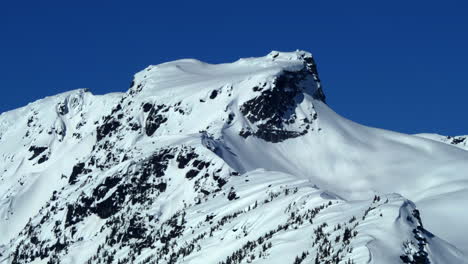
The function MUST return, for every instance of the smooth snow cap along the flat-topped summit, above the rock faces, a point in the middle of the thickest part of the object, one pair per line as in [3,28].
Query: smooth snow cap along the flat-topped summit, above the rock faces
[183,78]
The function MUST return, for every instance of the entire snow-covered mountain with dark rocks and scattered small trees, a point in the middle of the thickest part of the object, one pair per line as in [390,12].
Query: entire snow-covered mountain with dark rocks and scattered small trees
[230,163]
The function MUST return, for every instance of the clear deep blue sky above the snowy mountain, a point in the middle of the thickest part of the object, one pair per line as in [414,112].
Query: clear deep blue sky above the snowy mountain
[399,65]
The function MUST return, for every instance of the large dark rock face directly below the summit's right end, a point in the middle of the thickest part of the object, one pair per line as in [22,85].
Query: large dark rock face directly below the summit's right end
[273,111]
